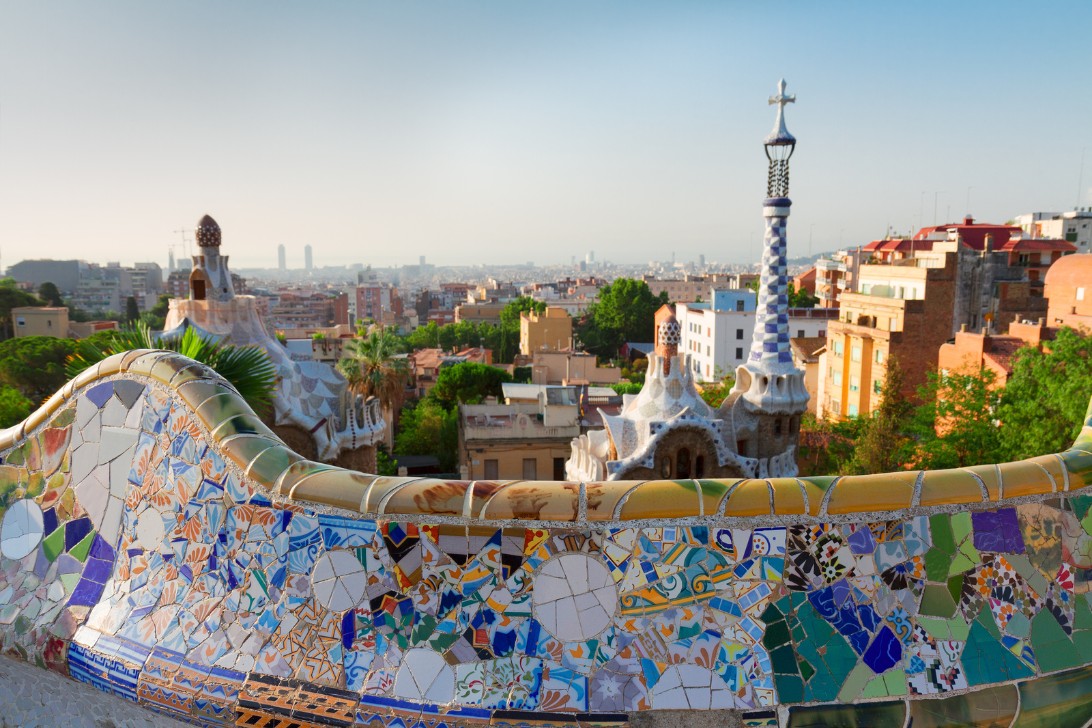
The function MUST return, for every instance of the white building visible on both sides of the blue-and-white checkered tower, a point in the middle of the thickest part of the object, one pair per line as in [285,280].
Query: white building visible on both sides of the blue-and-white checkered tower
[717,336]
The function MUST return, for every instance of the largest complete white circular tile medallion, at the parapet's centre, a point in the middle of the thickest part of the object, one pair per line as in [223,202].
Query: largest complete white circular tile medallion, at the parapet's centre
[575,598]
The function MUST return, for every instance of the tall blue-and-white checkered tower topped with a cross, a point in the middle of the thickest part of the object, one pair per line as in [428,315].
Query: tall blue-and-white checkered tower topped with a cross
[773,383]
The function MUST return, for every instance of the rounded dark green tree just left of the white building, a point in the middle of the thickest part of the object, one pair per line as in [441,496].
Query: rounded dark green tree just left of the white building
[624,312]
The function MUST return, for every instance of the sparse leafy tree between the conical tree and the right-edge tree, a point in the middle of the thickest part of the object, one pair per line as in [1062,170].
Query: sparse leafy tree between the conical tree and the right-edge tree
[956,426]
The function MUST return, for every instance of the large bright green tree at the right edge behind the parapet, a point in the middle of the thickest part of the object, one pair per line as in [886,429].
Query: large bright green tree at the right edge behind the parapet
[1046,399]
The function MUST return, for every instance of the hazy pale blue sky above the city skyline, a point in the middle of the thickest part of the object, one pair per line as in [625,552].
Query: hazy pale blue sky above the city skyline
[511,132]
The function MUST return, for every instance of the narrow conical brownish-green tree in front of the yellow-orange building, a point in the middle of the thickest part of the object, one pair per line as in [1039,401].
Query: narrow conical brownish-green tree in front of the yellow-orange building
[882,443]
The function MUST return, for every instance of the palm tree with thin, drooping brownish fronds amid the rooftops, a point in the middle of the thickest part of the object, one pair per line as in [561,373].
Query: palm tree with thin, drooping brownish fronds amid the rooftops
[374,368]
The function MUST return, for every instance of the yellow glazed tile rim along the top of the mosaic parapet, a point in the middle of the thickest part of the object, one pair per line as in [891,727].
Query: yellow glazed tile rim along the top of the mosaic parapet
[244,437]
